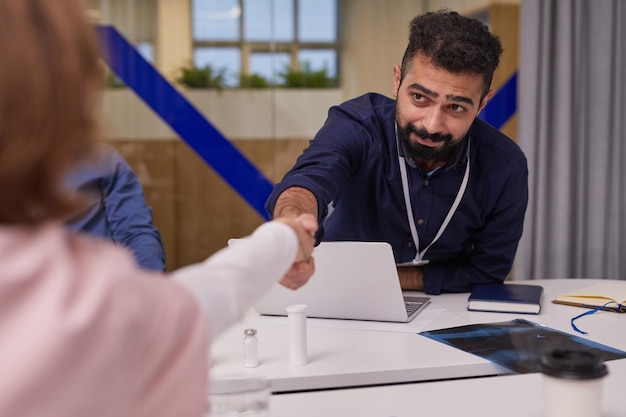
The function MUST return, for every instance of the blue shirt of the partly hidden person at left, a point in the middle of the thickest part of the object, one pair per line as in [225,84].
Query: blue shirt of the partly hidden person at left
[116,207]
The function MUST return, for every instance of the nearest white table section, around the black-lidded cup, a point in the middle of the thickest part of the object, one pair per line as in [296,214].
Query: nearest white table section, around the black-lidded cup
[507,396]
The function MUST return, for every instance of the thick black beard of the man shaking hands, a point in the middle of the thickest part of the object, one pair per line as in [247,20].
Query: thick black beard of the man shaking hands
[423,152]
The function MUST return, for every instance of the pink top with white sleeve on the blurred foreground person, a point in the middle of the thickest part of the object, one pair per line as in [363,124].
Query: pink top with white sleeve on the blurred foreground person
[84,332]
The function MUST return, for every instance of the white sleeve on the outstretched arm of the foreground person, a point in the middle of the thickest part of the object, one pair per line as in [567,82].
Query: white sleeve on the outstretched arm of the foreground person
[230,281]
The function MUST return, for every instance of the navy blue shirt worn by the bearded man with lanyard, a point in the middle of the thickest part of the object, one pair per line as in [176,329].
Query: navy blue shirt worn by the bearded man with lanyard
[353,162]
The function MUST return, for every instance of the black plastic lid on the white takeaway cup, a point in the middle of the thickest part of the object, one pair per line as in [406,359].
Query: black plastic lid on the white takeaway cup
[573,364]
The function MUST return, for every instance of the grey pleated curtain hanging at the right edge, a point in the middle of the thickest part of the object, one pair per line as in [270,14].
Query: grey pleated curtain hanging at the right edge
[572,112]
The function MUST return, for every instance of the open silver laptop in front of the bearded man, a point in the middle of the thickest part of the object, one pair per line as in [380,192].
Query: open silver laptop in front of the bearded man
[352,280]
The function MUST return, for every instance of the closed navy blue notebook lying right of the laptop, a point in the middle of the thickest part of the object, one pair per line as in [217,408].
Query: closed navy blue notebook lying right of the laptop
[506,298]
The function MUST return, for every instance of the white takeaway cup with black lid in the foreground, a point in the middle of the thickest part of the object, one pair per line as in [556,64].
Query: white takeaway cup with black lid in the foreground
[572,383]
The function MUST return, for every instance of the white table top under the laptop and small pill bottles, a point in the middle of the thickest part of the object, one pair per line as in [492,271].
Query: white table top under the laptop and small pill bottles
[347,357]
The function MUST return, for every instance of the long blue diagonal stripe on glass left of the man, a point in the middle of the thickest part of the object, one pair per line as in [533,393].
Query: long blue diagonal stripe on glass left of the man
[192,127]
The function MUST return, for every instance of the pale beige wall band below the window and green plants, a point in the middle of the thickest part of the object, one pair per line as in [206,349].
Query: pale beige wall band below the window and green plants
[244,114]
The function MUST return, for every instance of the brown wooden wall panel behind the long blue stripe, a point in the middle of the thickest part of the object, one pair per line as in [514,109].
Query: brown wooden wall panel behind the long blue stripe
[193,208]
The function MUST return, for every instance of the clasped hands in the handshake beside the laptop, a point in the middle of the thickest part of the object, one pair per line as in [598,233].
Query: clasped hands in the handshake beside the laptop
[305,227]
